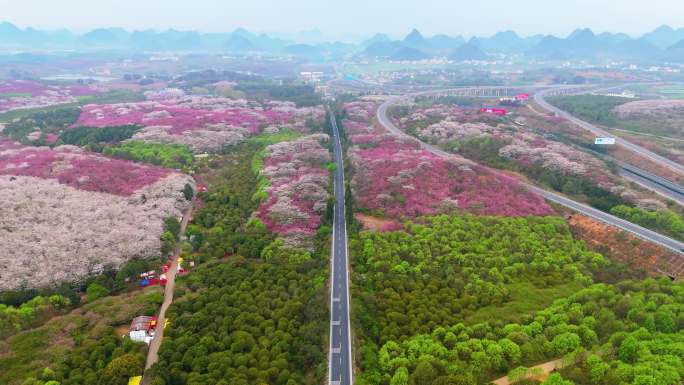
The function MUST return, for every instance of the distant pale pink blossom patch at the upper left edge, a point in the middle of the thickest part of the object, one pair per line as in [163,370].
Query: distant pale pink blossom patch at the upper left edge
[19,94]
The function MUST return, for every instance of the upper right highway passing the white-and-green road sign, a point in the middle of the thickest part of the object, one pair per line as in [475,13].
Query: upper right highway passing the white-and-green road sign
[539,99]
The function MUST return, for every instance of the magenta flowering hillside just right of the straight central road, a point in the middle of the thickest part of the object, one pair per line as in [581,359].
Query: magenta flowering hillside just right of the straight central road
[395,176]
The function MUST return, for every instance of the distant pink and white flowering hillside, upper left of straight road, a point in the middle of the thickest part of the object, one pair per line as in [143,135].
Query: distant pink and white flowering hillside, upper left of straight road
[202,123]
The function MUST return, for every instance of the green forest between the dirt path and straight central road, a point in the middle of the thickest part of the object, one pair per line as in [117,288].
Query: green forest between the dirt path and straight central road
[249,319]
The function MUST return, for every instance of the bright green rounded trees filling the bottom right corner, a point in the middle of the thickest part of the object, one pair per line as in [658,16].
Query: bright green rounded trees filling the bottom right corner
[604,334]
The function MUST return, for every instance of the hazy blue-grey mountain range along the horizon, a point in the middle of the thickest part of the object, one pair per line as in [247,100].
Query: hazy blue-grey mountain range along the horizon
[662,44]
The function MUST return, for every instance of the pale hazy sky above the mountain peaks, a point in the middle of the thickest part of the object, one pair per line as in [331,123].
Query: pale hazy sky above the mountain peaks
[351,17]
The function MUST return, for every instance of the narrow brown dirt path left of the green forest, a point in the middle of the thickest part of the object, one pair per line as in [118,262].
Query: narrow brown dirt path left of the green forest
[153,352]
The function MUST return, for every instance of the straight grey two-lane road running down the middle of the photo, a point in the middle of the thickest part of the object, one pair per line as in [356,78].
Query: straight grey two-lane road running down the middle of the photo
[339,353]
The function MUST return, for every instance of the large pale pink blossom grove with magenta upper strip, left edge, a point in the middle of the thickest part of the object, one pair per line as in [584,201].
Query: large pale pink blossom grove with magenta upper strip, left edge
[67,213]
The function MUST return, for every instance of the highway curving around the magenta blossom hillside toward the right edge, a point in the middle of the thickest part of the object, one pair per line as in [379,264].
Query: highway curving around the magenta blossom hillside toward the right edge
[622,224]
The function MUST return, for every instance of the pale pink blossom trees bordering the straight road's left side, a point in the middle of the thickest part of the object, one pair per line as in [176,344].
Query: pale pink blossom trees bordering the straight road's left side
[298,191]
